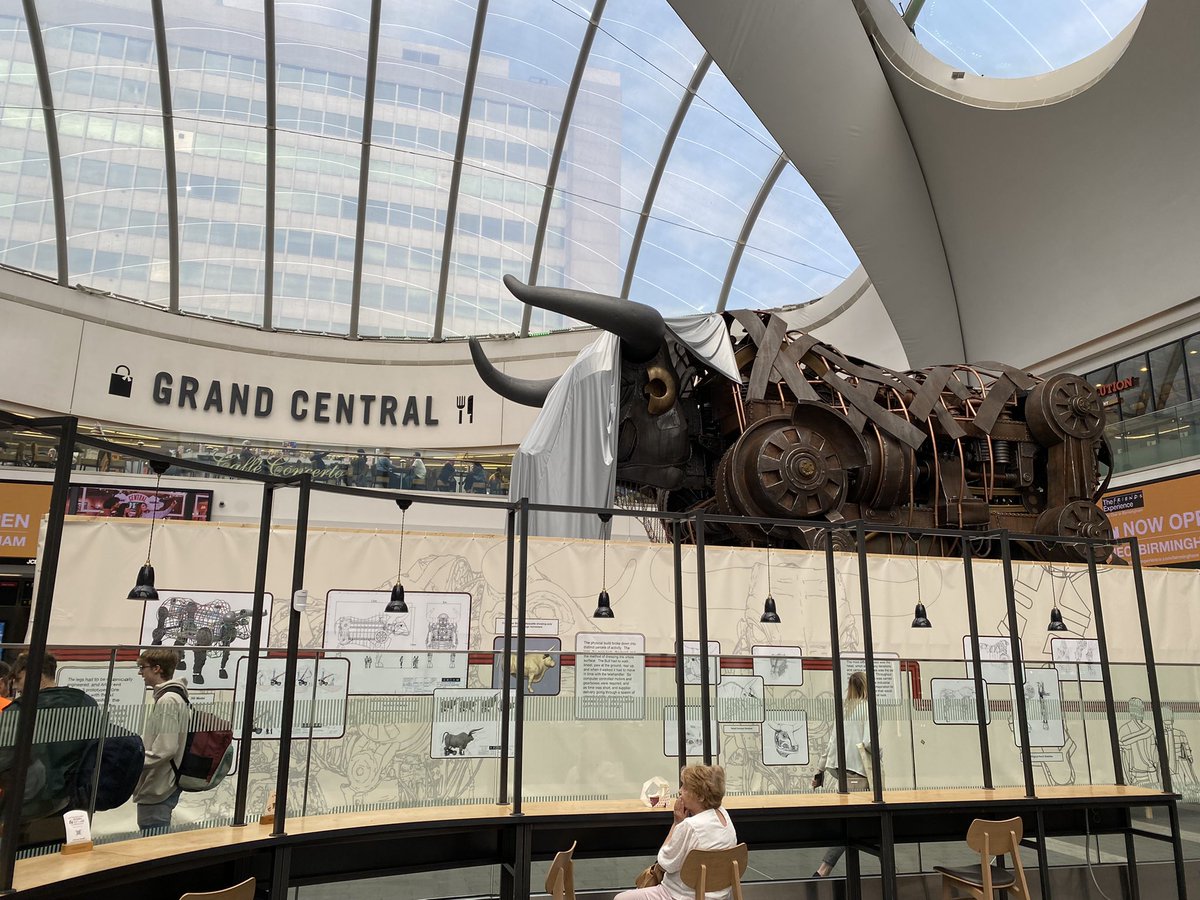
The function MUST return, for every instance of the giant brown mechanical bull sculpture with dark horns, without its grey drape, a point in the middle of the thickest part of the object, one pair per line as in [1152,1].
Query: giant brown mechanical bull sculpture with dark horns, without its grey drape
[812,434]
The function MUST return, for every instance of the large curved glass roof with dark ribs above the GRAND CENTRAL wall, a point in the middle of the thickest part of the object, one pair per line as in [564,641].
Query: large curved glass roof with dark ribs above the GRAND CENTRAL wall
[373,167]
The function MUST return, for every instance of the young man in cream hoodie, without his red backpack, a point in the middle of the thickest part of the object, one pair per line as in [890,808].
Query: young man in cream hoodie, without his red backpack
[165,739]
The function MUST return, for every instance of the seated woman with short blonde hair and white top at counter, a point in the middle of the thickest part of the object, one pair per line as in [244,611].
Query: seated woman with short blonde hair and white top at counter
[700,824]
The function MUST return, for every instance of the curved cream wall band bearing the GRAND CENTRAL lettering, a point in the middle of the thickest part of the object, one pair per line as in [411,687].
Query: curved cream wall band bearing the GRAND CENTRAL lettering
[356,395]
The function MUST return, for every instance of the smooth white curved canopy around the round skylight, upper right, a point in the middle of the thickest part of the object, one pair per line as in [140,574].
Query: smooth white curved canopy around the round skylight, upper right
[1004,233]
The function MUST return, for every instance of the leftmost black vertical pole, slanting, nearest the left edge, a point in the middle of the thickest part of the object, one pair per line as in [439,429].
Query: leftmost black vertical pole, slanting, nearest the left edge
[27,716]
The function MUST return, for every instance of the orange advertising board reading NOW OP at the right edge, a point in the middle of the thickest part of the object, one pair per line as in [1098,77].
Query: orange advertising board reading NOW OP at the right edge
[1165,517]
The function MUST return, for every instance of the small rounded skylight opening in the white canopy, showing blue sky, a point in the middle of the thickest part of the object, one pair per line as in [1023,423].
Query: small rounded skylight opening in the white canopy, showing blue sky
[1013,39]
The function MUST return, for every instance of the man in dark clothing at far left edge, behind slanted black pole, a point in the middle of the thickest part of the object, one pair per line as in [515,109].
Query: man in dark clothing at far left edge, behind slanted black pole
[61,740]
